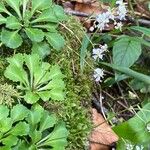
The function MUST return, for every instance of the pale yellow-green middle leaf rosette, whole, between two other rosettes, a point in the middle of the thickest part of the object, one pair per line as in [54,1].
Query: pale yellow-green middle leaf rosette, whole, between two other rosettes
[37,80]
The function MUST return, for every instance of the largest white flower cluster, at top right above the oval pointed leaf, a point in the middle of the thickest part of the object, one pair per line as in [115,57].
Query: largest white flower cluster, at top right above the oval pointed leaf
[102,20]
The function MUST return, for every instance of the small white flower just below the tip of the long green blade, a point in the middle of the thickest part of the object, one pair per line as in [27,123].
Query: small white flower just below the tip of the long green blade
[98,74]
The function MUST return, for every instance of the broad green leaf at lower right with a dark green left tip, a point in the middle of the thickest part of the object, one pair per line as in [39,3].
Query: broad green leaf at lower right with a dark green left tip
[136,128]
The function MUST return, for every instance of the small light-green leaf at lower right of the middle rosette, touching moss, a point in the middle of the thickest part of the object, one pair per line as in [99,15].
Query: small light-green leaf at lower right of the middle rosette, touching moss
[57,94]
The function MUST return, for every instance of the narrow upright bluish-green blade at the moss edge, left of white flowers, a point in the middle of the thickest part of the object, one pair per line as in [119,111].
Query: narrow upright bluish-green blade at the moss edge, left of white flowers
[83,51]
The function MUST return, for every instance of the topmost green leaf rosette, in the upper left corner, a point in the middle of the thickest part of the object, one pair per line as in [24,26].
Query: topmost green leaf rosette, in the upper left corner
[37,19]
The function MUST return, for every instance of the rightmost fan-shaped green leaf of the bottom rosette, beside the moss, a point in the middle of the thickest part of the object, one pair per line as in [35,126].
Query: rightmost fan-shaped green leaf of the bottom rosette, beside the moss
[57,139]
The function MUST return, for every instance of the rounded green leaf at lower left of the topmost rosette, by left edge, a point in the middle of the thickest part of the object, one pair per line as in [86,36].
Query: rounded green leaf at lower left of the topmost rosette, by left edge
[11,39]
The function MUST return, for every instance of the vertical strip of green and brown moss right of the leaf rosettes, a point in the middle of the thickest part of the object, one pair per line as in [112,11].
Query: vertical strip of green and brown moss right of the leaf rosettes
[75,109]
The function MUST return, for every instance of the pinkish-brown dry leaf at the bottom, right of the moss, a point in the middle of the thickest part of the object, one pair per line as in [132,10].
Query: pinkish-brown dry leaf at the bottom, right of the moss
[102,133]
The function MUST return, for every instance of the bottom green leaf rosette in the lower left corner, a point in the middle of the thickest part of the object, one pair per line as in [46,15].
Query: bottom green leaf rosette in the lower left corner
[22,129]
